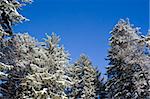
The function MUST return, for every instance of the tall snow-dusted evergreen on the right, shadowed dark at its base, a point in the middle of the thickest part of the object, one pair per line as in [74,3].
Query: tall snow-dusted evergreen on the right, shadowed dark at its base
[127,73]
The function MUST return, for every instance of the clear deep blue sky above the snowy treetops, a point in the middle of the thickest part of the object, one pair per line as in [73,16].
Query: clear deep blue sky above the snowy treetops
[83,25]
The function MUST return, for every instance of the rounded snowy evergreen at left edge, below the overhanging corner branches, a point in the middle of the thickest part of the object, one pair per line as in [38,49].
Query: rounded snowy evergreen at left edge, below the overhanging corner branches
[16,53]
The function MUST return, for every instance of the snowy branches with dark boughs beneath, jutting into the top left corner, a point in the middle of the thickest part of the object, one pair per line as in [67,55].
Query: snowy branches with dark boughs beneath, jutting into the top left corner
[10,15]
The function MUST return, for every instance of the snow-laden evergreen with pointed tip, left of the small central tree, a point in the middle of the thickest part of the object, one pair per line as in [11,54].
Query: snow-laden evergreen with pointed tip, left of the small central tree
[46,78]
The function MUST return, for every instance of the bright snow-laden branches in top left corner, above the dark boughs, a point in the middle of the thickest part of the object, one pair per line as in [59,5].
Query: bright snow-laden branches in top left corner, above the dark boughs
[11,7]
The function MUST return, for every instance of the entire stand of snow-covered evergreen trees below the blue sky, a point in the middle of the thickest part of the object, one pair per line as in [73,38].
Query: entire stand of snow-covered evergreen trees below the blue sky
[30,69]
